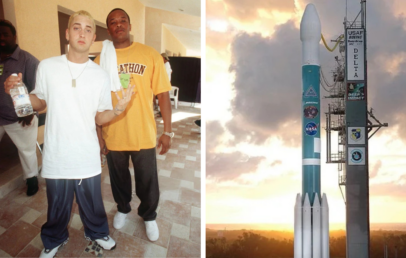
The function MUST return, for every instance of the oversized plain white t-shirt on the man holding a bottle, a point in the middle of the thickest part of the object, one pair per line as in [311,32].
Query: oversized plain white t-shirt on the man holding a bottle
[71,147]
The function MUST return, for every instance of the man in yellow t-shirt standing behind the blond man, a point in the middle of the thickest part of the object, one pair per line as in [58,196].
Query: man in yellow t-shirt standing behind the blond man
[134,133]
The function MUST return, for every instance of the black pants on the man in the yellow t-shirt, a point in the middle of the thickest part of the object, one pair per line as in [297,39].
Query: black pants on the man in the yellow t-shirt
[146,181]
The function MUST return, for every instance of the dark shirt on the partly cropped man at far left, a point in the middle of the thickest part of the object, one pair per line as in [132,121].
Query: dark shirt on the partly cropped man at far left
[19,62]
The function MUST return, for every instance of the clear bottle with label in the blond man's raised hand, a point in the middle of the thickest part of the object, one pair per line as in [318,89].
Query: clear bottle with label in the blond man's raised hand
[21,99]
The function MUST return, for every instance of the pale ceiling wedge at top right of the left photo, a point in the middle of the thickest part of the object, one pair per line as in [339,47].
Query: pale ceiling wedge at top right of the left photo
[191,7]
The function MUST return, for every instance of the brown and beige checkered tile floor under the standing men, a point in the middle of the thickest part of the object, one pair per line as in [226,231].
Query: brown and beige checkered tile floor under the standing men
[179,210]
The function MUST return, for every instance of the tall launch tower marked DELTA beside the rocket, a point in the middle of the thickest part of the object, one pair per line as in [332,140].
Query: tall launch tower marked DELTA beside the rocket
[349,118]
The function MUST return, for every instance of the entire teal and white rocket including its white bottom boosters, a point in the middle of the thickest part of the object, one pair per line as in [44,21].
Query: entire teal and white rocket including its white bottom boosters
[311,236]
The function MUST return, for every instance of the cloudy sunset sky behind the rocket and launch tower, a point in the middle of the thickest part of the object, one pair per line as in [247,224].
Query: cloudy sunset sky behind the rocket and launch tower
[253,83]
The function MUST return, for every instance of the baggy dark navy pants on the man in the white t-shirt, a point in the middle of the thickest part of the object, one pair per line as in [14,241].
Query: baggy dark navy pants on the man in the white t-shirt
[60,194]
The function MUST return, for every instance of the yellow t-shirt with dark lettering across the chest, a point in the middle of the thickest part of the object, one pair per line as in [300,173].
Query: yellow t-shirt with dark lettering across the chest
[135,129]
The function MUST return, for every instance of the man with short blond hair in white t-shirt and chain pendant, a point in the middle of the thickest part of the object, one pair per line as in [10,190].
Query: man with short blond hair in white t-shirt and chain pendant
[77,94]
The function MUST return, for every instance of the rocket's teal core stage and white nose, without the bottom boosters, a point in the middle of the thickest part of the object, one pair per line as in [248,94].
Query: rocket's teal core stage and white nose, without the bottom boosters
[310,35]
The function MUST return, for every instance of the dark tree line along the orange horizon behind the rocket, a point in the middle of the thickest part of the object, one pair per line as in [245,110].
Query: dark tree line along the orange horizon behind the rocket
[278,244]
